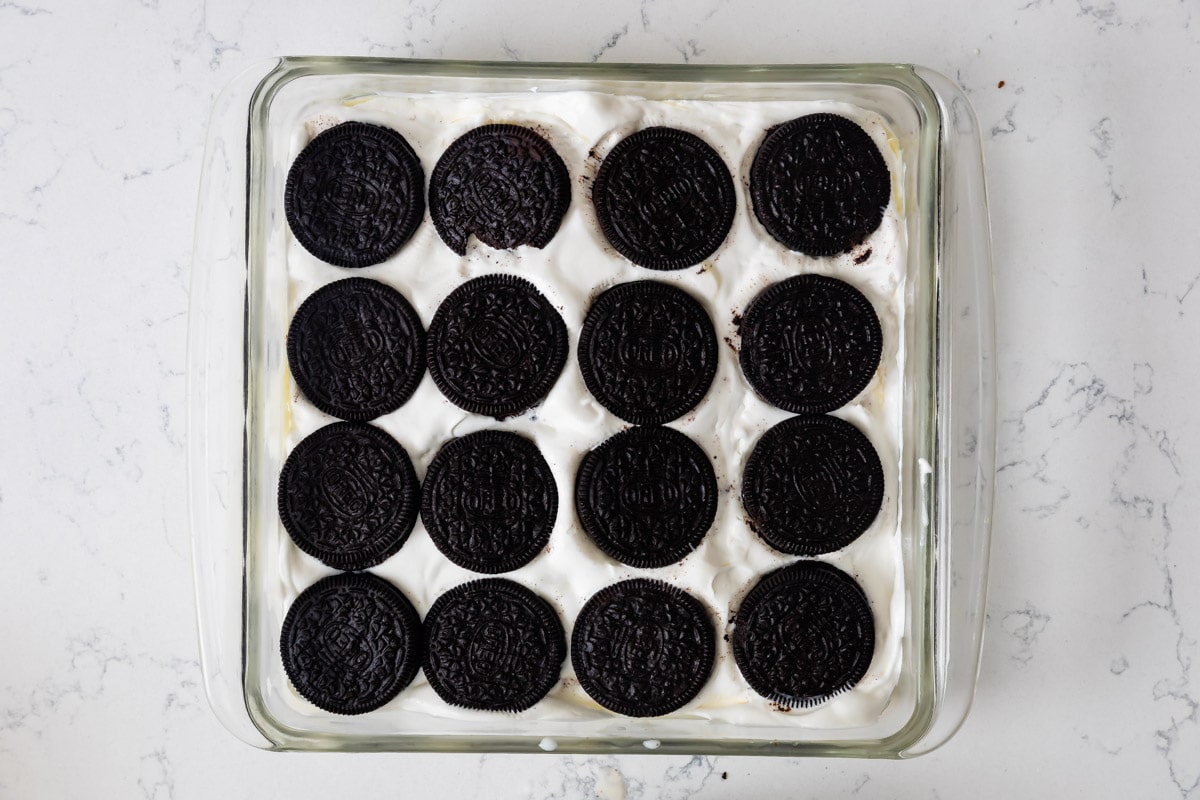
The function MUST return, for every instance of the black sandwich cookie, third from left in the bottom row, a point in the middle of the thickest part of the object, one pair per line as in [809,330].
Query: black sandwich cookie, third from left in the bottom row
[643,648]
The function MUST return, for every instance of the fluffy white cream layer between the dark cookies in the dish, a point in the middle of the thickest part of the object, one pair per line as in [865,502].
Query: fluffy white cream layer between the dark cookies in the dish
[571,272]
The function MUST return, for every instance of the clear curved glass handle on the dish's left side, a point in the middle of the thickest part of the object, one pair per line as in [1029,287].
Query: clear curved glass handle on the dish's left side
[217,400]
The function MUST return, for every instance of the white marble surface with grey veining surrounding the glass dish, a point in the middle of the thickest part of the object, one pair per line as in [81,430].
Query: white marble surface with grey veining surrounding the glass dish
[1088,688]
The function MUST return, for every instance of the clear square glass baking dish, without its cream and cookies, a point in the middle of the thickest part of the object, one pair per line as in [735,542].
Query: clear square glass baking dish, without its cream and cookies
[239,394]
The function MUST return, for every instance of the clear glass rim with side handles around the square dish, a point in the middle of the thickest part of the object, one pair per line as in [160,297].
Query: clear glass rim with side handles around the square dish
[947,243]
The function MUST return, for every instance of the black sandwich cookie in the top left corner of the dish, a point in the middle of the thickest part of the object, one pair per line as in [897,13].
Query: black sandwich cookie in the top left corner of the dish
[355,195]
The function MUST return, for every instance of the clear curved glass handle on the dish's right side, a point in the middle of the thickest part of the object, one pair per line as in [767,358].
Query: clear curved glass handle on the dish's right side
[967,374]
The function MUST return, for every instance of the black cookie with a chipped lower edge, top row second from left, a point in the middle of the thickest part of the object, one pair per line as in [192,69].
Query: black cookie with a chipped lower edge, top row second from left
[502,183]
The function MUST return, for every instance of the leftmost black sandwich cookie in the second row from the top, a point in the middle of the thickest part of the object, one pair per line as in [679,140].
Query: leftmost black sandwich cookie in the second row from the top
[357,350]
